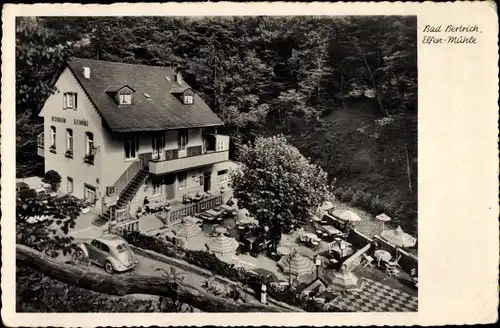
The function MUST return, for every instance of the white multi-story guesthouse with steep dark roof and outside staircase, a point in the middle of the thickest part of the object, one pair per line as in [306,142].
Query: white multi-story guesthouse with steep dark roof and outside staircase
[117,133]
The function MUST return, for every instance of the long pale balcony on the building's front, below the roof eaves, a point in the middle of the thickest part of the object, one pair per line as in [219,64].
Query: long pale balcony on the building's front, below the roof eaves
[196,159]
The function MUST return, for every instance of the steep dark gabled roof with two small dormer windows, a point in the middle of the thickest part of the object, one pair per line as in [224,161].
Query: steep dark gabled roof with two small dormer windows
[162,111]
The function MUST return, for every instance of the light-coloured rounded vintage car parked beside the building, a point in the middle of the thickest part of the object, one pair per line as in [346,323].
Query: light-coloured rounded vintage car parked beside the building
[109,251]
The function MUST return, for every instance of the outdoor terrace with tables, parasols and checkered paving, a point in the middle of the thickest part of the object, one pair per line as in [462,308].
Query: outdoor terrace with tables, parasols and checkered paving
[377,280]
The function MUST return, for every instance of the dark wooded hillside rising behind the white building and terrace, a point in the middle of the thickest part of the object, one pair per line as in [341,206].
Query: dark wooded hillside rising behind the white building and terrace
[343,90]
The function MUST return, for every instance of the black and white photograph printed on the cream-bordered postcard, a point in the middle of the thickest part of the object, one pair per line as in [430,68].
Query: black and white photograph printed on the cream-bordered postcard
[216,164]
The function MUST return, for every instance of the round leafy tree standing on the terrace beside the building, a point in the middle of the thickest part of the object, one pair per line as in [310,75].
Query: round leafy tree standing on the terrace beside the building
[278,186]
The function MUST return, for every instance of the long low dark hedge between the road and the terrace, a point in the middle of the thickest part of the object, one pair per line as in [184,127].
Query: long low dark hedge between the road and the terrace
[210,262]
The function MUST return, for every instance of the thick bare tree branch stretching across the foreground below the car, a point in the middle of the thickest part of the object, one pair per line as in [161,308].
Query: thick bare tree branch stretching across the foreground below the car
[125,285]
